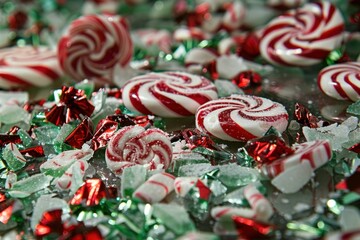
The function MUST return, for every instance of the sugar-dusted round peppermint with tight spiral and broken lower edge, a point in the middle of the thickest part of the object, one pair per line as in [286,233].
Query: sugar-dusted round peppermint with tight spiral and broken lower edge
[134,145]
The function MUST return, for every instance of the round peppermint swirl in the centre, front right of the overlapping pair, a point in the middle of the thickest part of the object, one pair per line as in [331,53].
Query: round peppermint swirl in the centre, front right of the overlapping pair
[240,117]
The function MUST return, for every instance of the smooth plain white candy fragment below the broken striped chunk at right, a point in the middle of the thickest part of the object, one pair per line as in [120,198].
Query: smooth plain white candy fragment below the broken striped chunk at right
[294,178]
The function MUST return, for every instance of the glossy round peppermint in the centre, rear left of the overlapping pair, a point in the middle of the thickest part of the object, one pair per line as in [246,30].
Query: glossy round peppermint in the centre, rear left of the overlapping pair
[168,94]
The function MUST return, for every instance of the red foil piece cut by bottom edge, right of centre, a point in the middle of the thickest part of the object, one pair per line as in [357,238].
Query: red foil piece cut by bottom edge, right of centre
[251,229]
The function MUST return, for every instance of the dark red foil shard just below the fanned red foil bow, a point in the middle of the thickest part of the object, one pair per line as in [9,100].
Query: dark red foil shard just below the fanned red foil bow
[82,133]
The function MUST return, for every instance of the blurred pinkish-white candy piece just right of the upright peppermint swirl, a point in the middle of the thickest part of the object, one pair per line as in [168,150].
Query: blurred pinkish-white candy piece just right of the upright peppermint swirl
[160,38]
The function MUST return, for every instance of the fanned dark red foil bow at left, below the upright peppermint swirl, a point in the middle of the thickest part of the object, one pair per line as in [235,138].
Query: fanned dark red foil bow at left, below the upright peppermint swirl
[73,105]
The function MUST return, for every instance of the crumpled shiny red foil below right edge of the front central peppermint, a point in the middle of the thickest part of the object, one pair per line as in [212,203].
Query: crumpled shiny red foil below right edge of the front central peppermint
[267,149]
